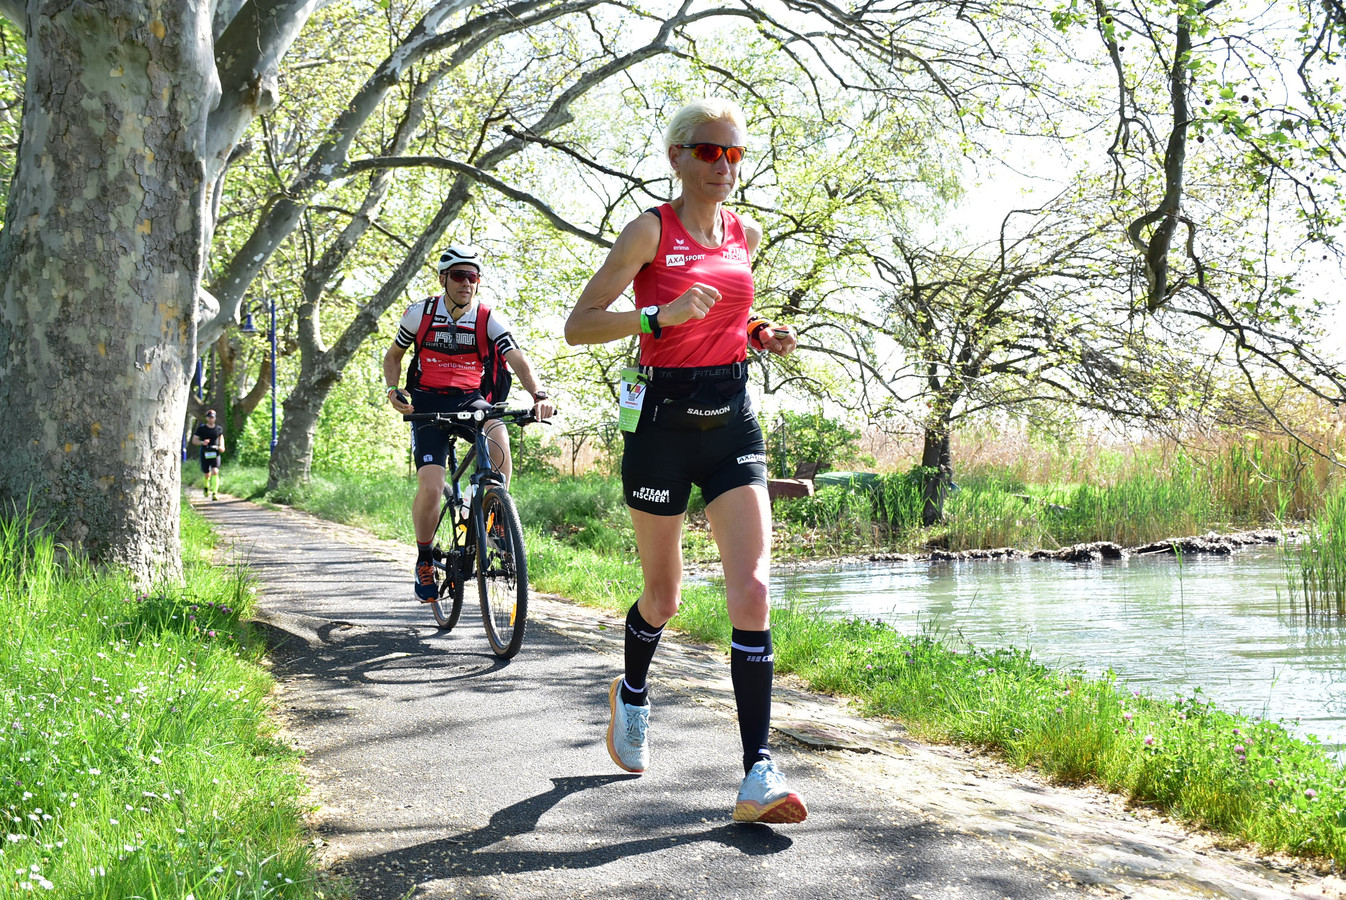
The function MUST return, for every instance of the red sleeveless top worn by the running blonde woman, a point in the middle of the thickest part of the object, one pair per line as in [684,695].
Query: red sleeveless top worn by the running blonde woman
[721,338]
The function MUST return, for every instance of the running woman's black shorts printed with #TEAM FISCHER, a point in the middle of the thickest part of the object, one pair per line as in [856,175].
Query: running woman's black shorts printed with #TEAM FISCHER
[668,454]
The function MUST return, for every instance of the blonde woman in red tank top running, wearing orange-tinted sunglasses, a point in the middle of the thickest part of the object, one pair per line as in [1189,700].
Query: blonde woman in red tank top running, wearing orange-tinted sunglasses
[690,263]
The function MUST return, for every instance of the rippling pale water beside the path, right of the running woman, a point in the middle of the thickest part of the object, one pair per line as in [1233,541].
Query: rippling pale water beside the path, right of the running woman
[1224,625]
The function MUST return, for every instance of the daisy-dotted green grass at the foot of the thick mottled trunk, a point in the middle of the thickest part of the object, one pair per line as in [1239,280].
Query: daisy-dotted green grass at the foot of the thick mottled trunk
[137,758]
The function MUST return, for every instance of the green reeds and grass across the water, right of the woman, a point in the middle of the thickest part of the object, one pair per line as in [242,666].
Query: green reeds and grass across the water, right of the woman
[1126,496]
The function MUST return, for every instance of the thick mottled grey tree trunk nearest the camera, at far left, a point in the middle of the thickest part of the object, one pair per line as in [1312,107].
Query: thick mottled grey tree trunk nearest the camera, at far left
[100,260]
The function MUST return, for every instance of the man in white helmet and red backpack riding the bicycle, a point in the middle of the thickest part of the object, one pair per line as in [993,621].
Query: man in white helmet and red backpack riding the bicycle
[446,376]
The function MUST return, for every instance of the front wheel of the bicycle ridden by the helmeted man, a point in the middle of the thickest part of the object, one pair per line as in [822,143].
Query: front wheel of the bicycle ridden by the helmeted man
[503,572]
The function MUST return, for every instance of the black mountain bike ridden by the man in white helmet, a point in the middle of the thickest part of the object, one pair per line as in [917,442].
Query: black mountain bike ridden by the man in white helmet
[479,535]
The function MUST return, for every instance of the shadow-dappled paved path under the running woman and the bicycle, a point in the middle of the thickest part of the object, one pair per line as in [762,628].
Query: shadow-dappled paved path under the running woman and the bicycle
[444,773]
